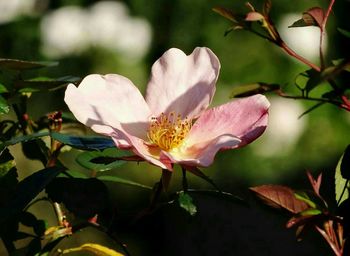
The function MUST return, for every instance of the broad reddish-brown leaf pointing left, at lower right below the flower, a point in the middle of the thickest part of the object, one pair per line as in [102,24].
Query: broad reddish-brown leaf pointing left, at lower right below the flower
[280,197]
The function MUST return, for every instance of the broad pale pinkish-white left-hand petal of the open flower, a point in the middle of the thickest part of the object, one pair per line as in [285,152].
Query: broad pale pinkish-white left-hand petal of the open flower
[109,103]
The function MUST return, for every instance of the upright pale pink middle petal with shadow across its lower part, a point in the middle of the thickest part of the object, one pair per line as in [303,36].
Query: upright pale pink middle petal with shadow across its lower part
[183,84]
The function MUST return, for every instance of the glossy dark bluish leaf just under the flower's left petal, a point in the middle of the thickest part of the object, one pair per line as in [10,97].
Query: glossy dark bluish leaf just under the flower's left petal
[85,143]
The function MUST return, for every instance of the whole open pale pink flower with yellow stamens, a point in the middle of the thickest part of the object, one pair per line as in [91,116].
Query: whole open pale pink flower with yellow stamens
[172,124]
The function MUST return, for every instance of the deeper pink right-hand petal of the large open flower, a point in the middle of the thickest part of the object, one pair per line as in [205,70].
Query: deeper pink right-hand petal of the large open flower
[232,125]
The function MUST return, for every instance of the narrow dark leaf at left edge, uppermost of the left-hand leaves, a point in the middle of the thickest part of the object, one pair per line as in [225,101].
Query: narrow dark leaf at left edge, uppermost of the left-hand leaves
[23,64]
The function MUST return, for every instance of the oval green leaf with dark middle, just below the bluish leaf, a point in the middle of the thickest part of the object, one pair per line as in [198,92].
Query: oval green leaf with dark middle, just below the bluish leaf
[104,160]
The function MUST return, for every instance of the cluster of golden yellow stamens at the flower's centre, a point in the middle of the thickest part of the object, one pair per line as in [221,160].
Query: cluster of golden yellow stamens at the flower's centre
[168,131]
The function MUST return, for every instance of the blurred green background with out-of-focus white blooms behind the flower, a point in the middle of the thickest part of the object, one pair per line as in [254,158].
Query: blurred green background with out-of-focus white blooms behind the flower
[126,37]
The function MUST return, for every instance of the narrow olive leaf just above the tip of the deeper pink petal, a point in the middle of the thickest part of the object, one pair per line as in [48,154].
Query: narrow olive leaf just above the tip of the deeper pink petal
[252,89]
